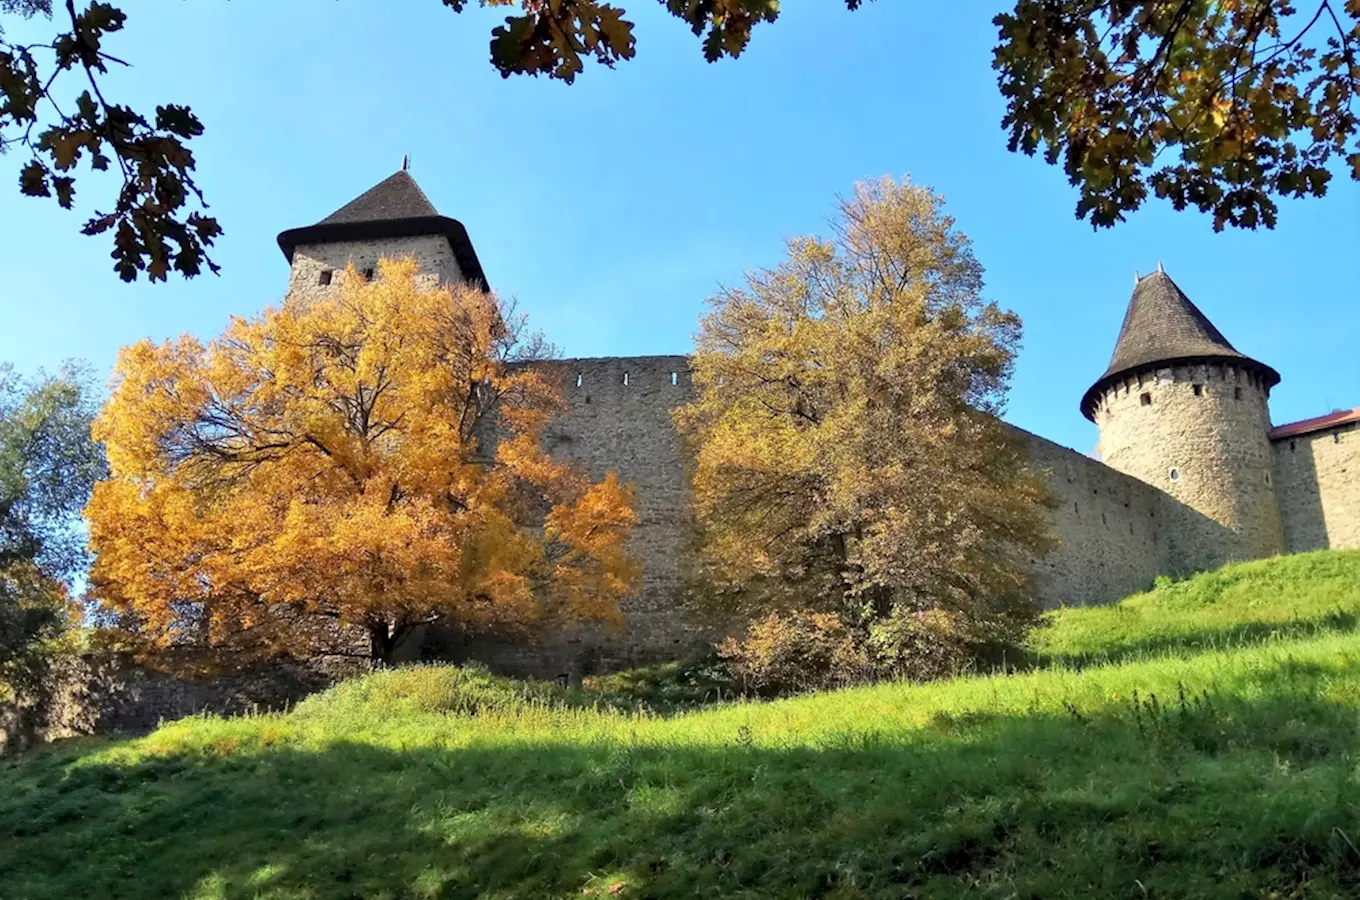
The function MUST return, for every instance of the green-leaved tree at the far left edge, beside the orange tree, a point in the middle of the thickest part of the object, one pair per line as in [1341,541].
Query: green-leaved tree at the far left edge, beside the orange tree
[48,466]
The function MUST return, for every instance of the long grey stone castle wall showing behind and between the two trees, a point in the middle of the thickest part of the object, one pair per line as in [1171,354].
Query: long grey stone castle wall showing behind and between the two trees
[1112,527]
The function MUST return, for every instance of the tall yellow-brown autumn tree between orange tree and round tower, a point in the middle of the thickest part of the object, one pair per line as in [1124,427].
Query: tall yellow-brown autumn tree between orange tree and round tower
[849,455]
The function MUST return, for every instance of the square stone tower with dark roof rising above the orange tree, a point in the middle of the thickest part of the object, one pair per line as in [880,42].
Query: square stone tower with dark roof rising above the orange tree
[392,220]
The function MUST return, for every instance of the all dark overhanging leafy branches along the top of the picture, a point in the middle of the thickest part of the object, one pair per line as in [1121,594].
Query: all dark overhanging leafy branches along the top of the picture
[1225,105]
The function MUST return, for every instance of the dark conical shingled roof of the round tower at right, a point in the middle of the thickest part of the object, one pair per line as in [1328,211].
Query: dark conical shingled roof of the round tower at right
[1163,327]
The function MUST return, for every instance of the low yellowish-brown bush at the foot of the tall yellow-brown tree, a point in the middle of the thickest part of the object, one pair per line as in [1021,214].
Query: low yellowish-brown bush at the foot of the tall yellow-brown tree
[804,651]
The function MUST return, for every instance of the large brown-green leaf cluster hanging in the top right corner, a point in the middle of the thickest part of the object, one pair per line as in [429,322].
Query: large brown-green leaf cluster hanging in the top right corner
[1222,105]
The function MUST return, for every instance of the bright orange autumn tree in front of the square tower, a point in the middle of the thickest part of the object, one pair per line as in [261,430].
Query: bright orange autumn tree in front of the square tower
[371,459]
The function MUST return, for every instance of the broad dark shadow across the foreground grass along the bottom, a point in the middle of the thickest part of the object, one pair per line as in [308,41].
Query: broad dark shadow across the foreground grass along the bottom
[1189,796]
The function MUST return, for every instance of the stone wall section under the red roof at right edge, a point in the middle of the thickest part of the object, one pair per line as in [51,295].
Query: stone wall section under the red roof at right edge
[1319,483]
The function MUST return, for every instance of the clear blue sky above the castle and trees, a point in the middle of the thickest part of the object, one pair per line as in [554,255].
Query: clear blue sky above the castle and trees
[614,207]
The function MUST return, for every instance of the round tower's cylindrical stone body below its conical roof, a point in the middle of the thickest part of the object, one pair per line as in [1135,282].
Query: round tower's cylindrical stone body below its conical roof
[1199,433]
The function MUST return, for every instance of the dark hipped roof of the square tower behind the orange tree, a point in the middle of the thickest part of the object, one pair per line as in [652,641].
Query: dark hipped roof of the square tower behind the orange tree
[396,207]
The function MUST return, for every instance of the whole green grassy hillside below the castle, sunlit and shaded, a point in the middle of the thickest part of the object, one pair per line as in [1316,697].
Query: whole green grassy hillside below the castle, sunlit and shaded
[1199,742]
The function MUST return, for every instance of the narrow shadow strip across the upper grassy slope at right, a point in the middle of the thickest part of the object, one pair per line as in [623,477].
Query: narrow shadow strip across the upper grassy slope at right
[1199,641]
